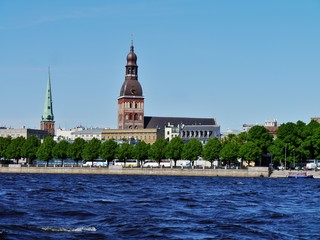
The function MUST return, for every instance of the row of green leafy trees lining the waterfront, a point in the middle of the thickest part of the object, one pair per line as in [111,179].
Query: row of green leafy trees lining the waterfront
[295,143]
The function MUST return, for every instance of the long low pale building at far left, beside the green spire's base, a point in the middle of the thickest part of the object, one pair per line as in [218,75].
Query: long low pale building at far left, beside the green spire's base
[23,132]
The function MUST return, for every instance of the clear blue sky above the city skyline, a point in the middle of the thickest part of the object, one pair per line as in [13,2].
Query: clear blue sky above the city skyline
[238,61]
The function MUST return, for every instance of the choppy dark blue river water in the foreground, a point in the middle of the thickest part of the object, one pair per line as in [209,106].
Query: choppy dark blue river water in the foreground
[157,207]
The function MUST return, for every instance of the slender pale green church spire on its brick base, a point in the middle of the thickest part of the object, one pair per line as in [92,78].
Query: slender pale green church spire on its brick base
[47,120]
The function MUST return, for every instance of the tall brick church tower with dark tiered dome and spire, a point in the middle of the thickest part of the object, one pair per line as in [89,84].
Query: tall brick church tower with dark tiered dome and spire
[131,100]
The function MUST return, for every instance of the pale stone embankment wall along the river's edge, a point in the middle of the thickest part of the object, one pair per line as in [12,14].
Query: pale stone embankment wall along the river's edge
[250,172]
